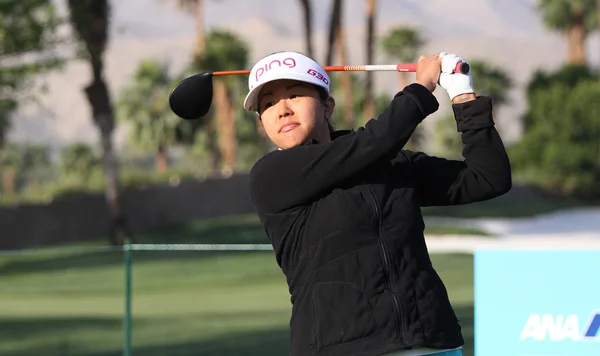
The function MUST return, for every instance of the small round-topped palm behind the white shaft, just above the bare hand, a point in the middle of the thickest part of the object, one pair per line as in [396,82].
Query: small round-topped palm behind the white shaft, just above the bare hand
[402,44]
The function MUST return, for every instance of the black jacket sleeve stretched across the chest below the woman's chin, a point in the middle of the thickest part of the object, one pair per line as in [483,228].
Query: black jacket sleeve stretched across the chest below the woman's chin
[285,179]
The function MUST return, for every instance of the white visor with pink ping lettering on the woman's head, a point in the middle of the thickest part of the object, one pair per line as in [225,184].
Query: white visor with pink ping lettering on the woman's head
[283,65]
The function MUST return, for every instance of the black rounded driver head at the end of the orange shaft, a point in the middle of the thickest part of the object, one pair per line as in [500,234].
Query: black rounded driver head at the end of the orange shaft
[192,97]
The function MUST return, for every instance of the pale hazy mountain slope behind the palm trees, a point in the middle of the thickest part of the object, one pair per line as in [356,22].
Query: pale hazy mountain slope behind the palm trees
[507,33]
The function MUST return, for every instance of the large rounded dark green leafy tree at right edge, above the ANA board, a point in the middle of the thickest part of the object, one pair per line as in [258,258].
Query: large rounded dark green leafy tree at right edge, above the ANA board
[560,147]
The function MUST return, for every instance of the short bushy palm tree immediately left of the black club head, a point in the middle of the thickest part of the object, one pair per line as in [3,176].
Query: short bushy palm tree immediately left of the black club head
[145,105]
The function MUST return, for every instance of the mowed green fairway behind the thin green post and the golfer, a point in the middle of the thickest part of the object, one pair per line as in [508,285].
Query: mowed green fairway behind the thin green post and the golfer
[184,303]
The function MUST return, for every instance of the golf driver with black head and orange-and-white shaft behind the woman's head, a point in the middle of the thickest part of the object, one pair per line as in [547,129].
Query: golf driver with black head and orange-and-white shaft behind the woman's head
[192,97]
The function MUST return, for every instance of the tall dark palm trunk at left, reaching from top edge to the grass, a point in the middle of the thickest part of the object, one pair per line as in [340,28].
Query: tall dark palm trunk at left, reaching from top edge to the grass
[90,20]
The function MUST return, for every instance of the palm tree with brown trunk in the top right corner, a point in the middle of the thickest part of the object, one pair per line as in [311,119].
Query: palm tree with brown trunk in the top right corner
[575,19]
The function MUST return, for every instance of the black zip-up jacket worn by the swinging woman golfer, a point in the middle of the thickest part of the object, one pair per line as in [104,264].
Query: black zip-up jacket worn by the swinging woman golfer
[345,222]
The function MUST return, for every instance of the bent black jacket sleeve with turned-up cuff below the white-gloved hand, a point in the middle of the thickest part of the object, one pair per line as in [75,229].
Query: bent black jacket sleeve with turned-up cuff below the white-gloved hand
[485,172]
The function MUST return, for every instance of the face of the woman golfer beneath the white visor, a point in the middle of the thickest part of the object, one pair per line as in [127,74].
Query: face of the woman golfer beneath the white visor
[292,112]
